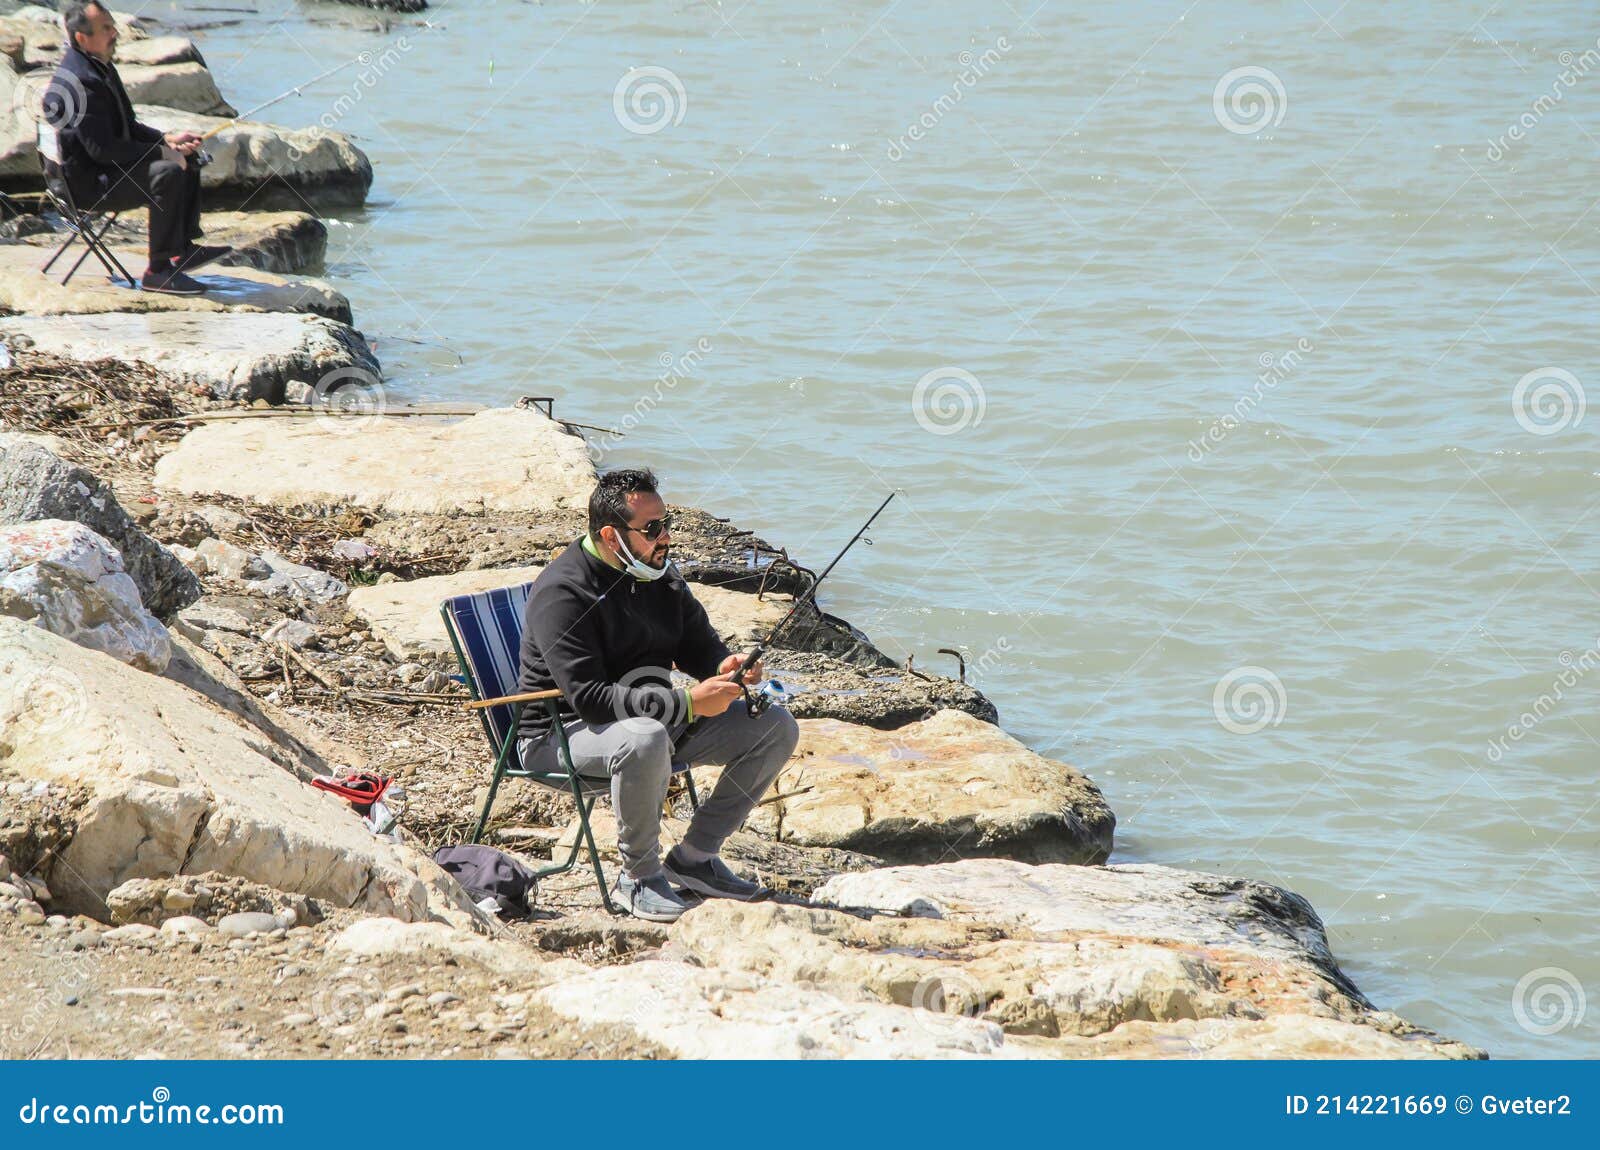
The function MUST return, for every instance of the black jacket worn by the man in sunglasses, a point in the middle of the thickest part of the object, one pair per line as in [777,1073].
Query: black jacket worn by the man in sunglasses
[609,641]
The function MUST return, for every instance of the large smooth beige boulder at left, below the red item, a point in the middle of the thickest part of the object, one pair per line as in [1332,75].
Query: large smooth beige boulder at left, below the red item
[172,786]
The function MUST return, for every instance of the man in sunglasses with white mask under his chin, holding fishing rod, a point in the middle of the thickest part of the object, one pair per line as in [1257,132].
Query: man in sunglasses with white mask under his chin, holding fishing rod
[606,623]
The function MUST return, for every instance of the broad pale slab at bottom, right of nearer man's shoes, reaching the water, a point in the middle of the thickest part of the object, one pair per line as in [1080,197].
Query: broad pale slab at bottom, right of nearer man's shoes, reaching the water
[1146,962]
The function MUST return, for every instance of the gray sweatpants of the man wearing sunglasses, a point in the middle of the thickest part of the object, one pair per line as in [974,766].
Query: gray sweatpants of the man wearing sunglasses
[638,756]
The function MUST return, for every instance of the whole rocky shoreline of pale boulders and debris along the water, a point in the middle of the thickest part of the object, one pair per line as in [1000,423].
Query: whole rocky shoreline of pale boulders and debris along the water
[222,559]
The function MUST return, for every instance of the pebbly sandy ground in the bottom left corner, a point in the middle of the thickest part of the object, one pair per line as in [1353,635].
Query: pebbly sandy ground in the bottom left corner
[81,989]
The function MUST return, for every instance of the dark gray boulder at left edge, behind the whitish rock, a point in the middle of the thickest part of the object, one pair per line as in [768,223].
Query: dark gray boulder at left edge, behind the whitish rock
[39,485]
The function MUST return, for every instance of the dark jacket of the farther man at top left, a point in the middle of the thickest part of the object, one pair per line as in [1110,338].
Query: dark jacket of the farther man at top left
[95,121]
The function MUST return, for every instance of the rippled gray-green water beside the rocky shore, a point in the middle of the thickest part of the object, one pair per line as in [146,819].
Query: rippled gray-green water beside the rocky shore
[1380,564]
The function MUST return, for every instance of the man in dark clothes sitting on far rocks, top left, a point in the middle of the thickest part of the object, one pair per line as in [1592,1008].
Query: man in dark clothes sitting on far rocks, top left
[113,162]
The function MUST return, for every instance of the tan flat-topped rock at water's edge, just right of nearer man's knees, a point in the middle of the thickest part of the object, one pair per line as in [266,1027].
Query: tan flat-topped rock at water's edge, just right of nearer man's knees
[934,791]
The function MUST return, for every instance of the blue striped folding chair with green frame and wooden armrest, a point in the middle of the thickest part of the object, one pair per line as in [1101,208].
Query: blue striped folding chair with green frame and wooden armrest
[486,633]
